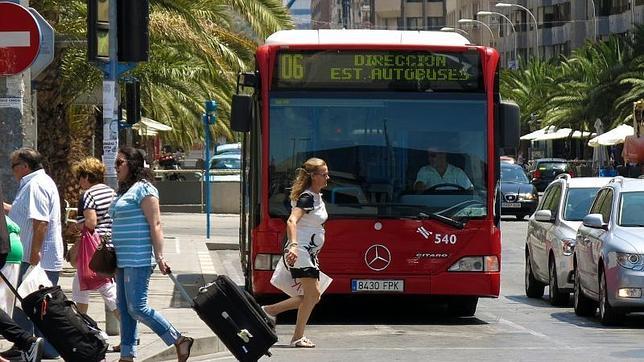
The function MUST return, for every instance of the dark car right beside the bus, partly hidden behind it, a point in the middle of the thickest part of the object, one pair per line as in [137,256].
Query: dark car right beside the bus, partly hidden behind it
[518,196]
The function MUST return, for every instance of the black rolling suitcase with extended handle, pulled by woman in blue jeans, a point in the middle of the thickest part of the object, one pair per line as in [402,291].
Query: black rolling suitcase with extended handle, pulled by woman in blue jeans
[234,316]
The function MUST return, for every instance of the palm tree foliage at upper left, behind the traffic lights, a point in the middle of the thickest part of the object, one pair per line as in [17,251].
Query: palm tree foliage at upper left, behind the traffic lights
[195,55]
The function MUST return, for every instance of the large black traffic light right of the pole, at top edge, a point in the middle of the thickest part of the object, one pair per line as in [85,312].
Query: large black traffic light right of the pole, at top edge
[133,34]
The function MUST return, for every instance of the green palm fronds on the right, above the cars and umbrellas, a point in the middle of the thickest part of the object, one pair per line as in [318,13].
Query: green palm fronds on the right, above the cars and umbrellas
[599,80]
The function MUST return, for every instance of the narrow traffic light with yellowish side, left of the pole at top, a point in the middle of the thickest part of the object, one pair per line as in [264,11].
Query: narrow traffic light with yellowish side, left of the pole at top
[98,30]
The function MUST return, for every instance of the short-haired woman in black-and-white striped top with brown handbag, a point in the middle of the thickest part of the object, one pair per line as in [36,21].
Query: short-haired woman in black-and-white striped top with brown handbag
[92,214]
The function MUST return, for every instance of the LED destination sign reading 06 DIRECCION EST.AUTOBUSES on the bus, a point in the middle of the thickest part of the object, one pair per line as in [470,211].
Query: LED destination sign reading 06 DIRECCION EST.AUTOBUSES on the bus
[378,70]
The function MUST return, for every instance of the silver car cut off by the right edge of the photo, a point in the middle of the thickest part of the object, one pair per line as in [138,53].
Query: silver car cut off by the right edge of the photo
[609,253]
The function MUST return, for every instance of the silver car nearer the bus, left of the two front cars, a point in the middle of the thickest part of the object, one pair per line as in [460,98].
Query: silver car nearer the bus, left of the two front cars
[552,230]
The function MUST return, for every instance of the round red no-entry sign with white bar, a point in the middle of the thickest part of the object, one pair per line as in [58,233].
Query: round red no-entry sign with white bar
[19,38]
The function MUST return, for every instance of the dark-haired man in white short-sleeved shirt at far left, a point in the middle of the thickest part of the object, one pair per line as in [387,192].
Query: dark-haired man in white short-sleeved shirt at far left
[36,209]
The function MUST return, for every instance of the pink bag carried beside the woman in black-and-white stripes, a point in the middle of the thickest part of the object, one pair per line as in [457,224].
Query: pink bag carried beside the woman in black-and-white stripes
[88,279]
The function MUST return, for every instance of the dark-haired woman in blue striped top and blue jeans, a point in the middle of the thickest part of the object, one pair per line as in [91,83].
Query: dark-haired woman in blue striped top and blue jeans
[138,241]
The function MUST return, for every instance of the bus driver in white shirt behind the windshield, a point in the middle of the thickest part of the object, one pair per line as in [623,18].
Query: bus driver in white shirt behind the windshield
[438,172]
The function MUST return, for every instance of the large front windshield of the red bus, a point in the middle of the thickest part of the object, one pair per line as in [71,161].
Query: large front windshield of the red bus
[390,155]
